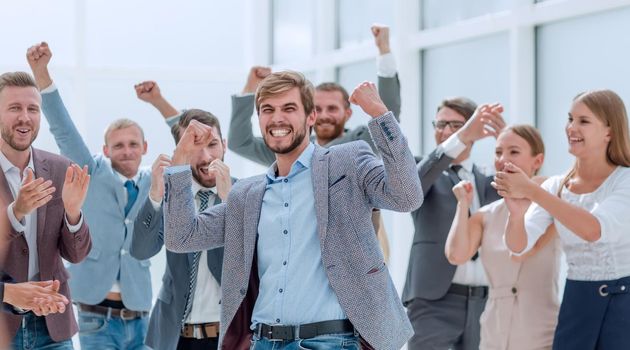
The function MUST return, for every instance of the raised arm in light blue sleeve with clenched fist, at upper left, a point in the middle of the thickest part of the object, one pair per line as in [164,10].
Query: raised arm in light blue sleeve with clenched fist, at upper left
[62,127]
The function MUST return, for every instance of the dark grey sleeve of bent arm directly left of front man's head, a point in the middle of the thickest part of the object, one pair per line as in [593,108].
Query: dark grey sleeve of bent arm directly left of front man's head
[242,139]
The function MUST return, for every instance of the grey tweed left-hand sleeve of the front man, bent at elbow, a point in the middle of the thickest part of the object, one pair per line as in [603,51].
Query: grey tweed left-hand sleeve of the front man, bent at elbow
[185,230]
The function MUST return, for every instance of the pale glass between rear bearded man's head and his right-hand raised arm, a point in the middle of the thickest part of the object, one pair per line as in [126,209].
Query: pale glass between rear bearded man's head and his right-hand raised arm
[349,77]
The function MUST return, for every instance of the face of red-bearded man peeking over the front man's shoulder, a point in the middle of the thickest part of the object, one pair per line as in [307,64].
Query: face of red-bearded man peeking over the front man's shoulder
[332,115]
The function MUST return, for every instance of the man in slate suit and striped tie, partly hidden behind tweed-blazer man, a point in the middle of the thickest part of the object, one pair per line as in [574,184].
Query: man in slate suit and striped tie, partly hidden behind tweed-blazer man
[187,312]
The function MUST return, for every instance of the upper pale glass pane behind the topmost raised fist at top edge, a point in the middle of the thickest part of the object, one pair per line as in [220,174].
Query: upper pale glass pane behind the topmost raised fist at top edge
[355,17]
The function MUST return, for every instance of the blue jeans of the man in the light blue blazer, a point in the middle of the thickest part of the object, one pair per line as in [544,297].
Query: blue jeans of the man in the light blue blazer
[104,332]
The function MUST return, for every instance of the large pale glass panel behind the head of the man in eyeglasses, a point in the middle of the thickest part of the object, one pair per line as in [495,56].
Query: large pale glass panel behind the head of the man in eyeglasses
[477,69]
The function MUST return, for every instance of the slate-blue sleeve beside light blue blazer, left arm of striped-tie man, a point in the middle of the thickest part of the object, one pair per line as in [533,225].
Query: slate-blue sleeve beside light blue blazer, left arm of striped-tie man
[148,232]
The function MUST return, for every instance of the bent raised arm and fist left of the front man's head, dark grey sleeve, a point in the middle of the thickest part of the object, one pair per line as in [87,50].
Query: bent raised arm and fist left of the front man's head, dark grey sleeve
[240,134]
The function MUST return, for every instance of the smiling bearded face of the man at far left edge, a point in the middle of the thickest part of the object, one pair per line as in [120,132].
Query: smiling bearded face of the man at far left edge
[20,116]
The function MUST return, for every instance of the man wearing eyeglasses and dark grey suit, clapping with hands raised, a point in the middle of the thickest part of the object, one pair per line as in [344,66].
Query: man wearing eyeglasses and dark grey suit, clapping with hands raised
[444,302]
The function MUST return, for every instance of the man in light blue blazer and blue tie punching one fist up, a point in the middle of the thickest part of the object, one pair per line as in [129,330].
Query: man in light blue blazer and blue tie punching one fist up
[112,289]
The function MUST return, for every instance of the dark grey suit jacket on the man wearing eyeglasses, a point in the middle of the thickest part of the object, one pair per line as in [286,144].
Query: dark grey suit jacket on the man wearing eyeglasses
[429,274]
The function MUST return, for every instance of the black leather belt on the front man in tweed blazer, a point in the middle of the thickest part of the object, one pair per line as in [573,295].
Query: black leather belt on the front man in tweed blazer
[305,331]
